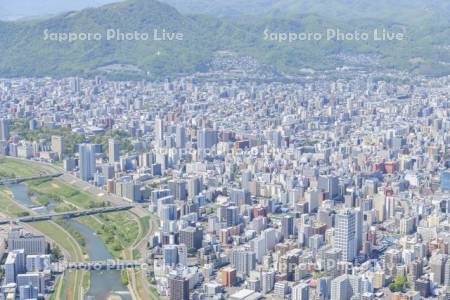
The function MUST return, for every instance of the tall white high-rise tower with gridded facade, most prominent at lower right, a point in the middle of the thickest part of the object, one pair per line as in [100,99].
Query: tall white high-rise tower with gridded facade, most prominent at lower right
[345,234]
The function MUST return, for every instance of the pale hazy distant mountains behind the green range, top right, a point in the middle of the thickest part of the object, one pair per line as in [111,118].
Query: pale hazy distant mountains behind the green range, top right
[393,10]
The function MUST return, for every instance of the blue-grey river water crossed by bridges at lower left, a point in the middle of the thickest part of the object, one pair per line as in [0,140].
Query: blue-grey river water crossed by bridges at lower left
[103,283]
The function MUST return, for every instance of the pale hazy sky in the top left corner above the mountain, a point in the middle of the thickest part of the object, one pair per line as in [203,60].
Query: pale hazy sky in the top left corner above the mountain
[14,9]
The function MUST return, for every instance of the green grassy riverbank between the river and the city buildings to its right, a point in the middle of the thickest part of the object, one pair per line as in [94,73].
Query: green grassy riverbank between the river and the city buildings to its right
[123,233]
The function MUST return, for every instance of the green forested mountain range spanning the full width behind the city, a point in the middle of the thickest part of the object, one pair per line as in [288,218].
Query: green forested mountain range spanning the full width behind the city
[29,48]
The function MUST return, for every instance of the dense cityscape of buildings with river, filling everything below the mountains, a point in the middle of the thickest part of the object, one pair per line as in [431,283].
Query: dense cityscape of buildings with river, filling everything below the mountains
[231,187]
